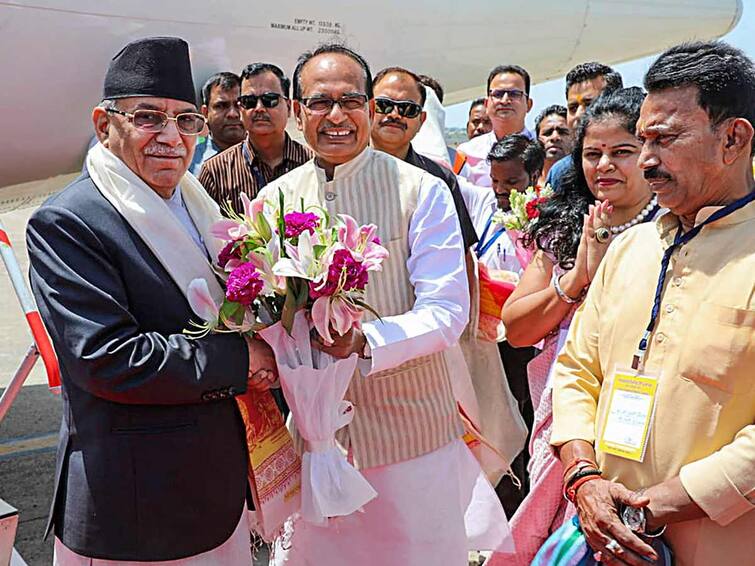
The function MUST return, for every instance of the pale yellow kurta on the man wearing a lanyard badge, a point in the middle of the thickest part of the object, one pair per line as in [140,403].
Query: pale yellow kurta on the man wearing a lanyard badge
[703,347]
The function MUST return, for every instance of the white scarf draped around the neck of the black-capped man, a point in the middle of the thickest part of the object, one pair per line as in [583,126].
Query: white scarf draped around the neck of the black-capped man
[148,214]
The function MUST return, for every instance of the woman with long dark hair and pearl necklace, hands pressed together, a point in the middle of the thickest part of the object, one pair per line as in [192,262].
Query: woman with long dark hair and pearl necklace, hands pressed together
[604,187]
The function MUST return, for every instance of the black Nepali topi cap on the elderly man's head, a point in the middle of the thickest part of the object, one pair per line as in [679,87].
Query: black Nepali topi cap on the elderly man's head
[153,66]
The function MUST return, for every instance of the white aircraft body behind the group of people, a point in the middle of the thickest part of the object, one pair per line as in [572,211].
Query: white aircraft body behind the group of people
[53,53]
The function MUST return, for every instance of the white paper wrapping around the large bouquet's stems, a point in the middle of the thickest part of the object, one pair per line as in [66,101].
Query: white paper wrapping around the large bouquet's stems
[314,385]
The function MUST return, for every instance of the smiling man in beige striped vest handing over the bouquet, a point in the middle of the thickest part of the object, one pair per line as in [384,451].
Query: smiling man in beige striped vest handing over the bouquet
[405,435]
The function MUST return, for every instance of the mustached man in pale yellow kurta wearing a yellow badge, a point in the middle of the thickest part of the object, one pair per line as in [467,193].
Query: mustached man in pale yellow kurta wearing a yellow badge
[664,345]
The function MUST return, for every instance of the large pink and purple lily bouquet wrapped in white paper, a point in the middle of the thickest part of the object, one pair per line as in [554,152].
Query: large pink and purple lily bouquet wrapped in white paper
[290,272]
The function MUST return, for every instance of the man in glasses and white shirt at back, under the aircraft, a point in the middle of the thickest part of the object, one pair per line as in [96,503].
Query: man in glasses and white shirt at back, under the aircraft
[507,103]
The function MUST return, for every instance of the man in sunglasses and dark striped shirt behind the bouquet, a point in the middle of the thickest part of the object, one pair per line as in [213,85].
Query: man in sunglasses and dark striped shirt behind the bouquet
[267,152]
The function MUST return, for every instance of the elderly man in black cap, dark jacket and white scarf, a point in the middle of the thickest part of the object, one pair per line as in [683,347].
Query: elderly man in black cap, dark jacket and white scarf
[152,461]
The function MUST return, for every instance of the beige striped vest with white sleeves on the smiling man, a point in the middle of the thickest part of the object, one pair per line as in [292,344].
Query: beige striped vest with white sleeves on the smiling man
[404,404]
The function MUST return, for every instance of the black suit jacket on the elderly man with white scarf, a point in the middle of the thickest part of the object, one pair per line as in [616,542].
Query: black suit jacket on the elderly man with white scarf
[151,462]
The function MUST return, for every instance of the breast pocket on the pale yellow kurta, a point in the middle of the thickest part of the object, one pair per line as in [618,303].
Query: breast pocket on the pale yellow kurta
[719,347]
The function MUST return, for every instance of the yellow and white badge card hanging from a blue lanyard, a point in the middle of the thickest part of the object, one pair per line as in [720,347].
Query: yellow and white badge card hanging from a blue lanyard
[629,416]
